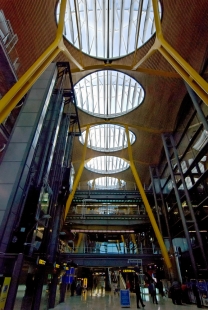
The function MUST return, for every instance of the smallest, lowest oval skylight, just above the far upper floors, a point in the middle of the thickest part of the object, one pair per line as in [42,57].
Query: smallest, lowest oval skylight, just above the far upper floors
[106,183]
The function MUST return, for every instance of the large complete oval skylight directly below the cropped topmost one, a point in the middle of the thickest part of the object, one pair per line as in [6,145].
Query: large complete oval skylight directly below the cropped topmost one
[108,94]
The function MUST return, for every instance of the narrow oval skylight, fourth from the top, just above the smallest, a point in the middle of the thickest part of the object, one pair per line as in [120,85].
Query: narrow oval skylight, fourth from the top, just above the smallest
[107,164]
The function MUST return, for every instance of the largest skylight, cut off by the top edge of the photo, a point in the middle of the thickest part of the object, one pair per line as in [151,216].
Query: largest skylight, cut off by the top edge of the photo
[108,29]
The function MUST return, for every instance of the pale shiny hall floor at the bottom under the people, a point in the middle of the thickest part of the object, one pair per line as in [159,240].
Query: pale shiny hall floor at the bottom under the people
[109,301]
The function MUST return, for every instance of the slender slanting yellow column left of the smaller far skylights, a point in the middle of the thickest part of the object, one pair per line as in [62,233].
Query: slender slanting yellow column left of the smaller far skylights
[78,176]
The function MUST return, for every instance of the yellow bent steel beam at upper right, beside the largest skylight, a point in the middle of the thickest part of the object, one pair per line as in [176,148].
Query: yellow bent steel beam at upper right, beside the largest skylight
[195,81]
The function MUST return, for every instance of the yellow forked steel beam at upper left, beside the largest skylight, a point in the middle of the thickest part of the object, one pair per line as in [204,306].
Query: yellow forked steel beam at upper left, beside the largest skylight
[15,94]
